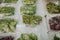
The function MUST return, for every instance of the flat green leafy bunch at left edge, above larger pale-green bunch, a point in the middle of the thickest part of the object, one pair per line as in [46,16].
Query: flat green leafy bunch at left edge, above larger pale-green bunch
[8,11]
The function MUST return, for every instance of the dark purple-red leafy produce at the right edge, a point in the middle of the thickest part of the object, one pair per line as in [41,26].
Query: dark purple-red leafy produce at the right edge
[54,23]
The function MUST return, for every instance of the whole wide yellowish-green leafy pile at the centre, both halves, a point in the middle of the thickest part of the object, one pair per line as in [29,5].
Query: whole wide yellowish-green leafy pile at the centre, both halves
[34,20]
